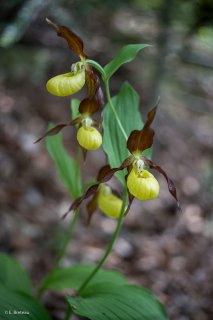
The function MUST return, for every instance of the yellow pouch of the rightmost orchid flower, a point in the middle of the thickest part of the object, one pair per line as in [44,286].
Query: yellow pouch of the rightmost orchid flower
[142,185]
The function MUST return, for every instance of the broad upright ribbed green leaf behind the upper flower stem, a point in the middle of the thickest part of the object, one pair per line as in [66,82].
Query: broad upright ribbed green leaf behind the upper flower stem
[126,104]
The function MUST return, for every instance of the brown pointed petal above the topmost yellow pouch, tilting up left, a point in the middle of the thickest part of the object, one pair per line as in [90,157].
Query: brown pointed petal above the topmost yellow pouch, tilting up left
[74,42]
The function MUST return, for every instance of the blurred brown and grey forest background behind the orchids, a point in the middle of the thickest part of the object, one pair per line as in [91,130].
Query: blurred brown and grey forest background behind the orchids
[167,252]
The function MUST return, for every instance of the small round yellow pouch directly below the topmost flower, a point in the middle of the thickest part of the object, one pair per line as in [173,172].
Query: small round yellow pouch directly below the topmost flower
[89,138]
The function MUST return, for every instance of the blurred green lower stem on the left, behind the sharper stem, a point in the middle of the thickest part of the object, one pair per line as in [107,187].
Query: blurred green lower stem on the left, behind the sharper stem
[61,254]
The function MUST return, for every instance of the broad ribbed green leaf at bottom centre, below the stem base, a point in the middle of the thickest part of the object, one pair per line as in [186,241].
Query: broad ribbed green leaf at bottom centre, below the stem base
[109,301]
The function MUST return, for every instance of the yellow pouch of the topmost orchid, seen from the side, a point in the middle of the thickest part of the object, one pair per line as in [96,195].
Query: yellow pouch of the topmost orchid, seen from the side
[67,83]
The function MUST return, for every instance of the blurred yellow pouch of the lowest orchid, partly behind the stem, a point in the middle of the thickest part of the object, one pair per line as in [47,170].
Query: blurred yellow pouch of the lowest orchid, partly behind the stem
[109,203]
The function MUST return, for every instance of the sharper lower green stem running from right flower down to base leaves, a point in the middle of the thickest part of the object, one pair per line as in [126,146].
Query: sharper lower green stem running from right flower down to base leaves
[109,247]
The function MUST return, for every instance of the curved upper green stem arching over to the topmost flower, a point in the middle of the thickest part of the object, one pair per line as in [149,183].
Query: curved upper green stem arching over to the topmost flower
[101,70]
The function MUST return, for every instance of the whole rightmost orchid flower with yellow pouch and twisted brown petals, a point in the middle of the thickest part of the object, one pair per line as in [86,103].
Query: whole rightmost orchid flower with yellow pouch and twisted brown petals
[140,182]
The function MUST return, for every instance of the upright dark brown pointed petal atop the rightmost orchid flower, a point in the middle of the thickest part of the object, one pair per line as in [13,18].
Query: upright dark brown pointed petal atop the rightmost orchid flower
[140,140]
